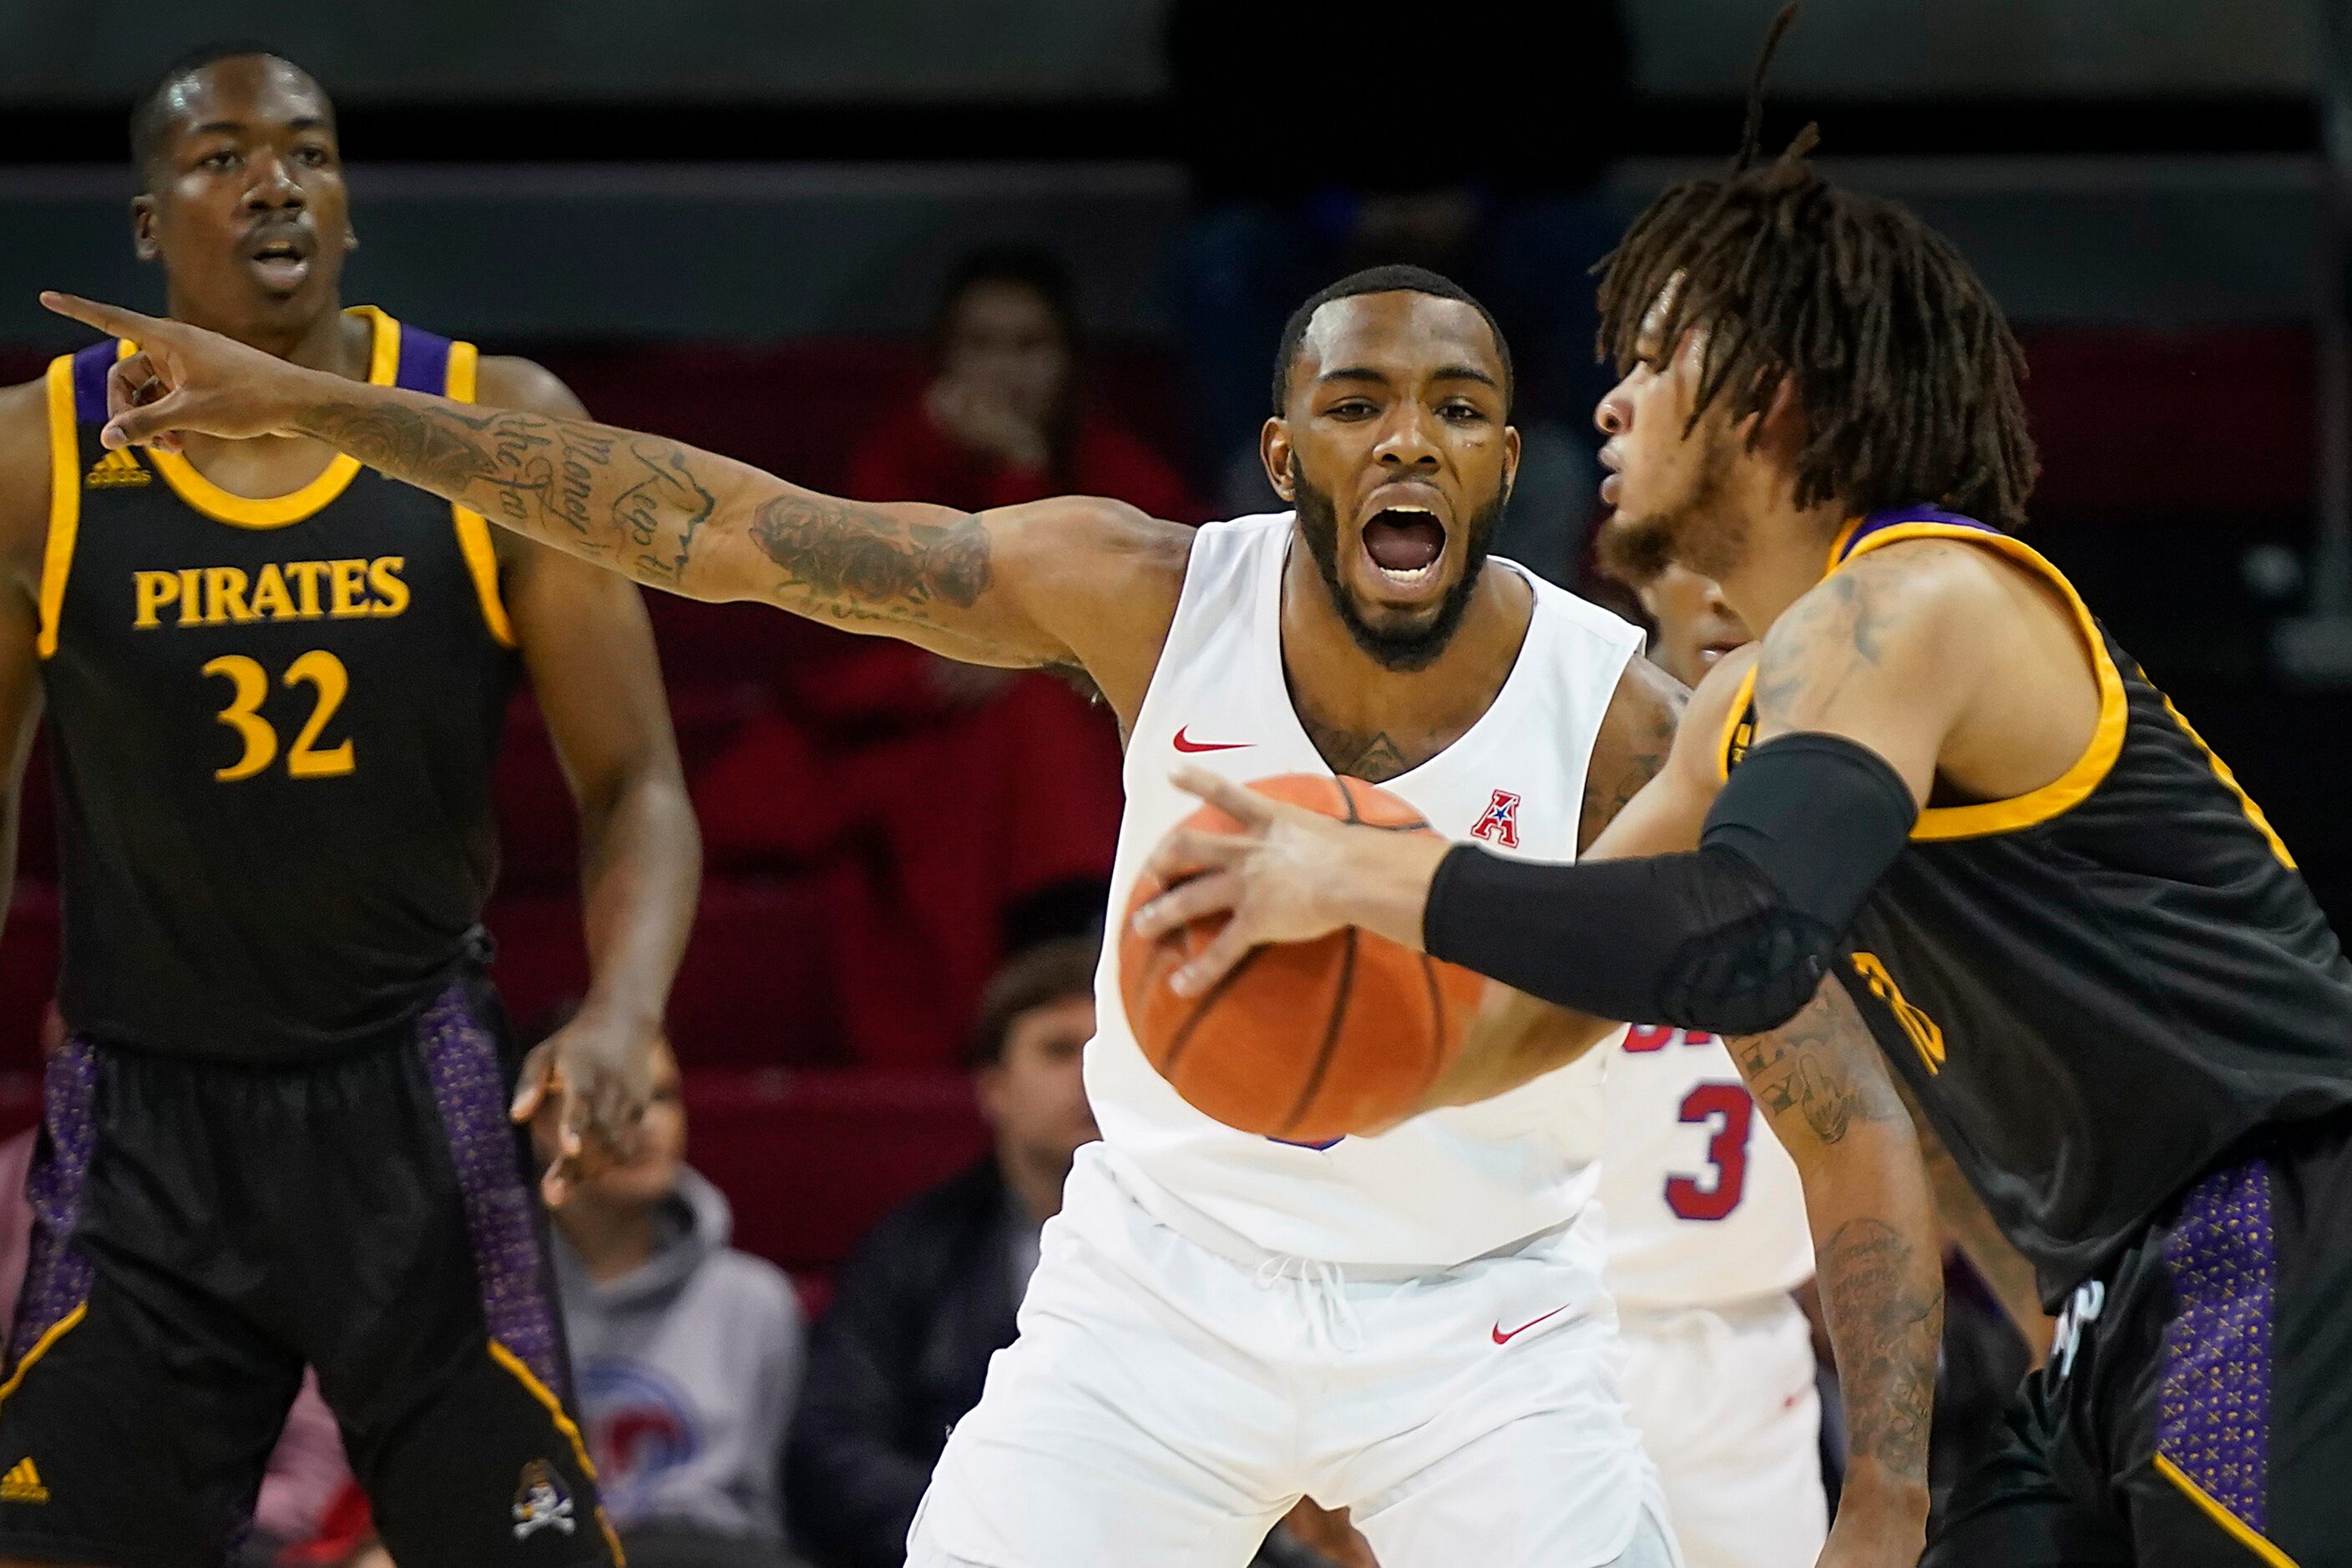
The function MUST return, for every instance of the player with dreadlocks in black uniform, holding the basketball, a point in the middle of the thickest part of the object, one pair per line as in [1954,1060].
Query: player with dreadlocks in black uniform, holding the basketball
[1939,782]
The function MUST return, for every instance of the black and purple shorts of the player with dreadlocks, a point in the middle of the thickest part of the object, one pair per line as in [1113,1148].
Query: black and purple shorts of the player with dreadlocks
[2198,1407]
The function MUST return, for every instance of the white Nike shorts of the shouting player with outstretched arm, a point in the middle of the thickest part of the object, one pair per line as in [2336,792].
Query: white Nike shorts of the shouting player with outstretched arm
[1168,1402]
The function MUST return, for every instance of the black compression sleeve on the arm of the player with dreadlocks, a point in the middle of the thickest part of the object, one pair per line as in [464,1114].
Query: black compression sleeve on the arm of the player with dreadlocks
[1730,939]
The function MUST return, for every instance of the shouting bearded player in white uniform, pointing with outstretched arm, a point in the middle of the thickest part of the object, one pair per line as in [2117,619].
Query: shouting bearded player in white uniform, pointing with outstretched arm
[1410,1325]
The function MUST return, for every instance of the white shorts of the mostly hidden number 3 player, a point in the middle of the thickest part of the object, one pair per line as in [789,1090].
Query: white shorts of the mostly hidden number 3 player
[1730,1414]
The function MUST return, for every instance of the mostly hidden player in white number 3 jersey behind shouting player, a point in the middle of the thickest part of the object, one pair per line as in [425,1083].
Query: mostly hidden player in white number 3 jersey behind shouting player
[1706,1228]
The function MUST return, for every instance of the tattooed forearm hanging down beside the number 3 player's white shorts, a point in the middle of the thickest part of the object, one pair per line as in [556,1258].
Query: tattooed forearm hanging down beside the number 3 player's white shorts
[1883,1294]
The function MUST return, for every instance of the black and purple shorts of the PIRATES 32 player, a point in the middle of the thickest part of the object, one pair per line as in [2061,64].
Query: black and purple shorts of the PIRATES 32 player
[203,1231]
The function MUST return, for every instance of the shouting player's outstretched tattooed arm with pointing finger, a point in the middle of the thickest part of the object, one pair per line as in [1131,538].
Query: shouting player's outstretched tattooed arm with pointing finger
[1074,582]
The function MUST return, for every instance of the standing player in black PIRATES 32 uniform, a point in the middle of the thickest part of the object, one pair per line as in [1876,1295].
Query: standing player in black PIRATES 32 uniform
[283,1127]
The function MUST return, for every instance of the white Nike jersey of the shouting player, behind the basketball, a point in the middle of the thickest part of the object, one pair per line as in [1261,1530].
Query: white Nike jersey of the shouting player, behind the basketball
[1448,1186]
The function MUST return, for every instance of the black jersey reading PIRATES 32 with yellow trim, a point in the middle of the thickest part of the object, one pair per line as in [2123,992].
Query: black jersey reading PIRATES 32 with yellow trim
[274,728]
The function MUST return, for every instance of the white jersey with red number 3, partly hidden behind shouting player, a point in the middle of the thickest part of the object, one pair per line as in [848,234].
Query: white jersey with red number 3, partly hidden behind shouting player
[1704,1205]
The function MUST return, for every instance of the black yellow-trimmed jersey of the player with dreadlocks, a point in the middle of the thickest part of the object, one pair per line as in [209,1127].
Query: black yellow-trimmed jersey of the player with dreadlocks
[2099,989]
